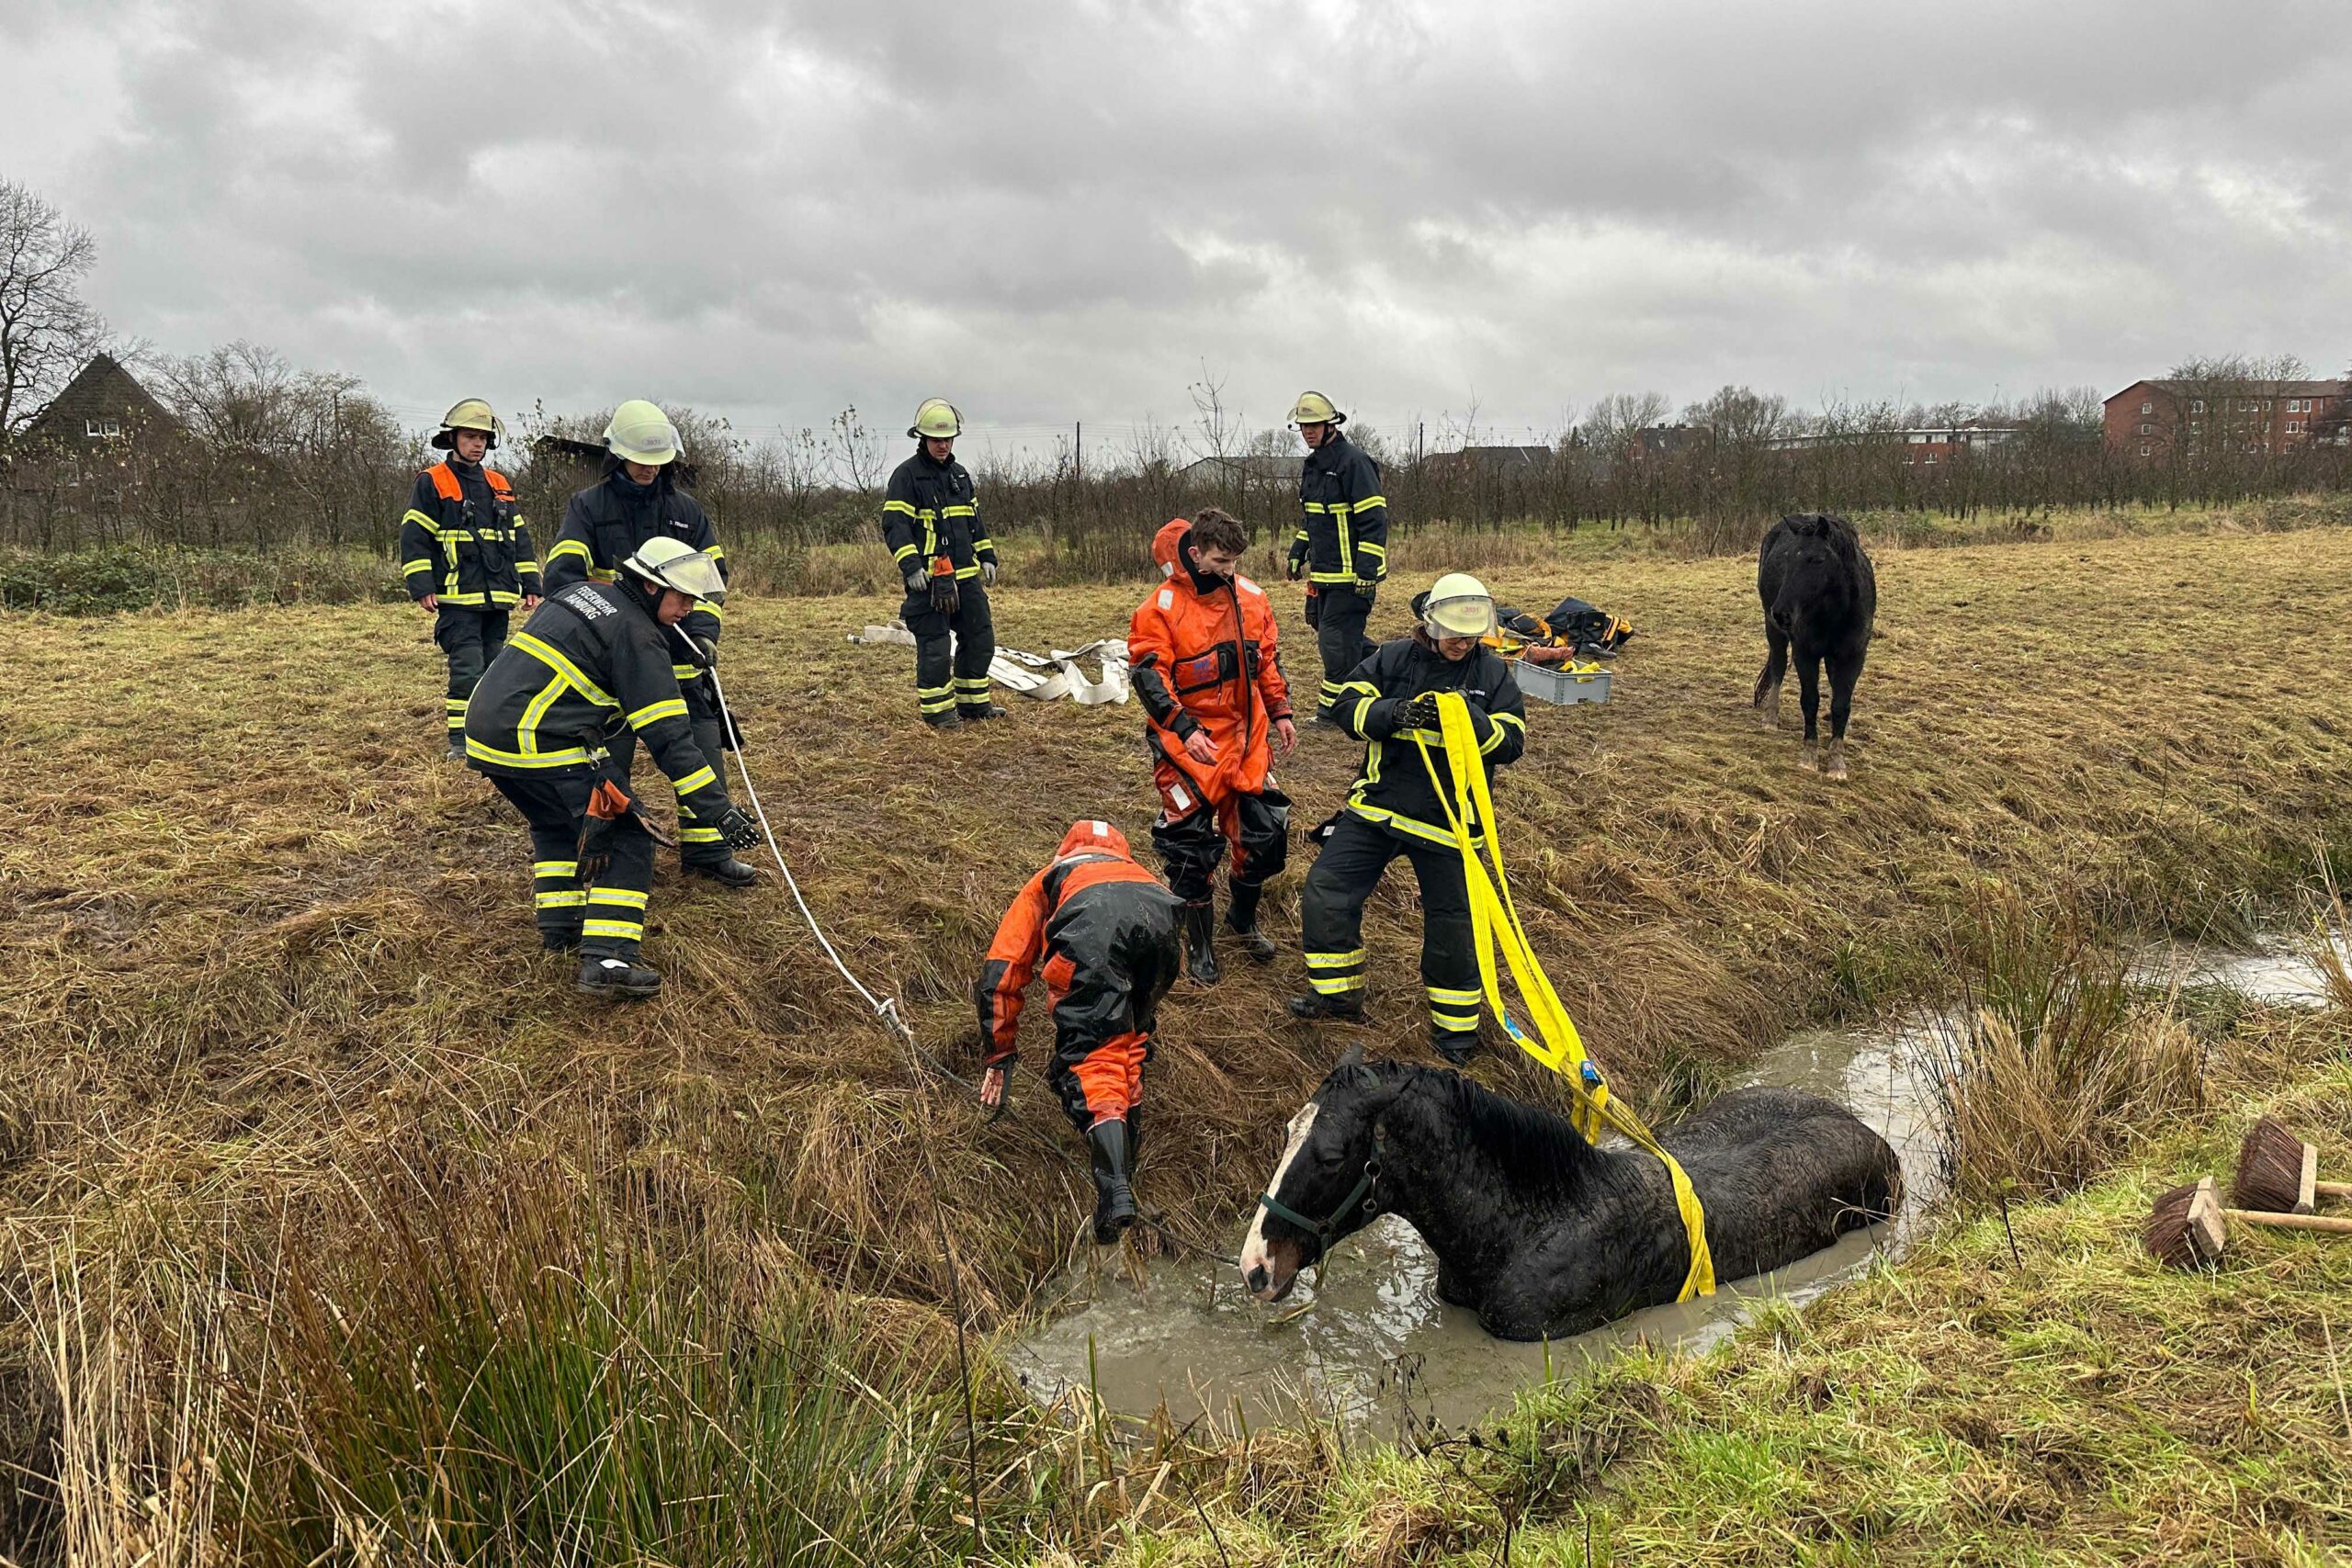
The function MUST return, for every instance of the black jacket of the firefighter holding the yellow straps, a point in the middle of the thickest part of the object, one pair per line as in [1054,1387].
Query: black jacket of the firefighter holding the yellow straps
[1396,786]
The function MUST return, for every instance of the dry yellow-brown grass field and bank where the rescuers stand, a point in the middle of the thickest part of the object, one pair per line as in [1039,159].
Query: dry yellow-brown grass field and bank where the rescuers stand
[272,960]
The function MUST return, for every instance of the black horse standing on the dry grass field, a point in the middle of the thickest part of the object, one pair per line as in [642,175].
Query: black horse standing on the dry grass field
[1819,598]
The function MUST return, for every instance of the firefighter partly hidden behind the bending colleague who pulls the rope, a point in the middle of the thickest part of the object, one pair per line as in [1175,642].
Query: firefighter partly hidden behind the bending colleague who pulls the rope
[606,525]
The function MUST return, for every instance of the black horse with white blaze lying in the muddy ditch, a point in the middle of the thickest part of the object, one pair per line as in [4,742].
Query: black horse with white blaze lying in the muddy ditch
[1542,1233]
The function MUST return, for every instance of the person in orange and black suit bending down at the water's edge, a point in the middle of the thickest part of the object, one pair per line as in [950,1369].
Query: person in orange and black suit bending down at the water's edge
[1107,937]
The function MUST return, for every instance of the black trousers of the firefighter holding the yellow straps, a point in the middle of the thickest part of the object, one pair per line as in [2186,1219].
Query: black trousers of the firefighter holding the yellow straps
[1332,918]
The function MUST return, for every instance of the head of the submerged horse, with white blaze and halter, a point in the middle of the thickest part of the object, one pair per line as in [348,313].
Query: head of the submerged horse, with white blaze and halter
[1323,1188]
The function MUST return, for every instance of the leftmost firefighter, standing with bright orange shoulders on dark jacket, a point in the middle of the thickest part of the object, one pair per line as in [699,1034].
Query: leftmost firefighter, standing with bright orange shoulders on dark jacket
[467,554]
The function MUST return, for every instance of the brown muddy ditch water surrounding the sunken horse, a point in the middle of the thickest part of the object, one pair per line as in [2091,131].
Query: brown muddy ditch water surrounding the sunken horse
[1370,1341]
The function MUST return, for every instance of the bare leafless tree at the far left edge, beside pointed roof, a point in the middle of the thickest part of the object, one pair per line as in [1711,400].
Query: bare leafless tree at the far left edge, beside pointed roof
[46,328]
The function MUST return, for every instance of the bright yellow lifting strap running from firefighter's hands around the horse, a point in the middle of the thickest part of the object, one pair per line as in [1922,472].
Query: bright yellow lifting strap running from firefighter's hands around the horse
[1495,918]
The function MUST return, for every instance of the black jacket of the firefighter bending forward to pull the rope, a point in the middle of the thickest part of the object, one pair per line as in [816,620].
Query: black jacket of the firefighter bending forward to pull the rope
[587,666]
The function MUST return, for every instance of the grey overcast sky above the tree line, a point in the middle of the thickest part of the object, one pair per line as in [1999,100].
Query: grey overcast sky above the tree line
[1062,210]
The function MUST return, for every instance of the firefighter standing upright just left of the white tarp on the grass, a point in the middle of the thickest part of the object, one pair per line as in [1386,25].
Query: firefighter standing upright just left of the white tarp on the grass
[944,556]
